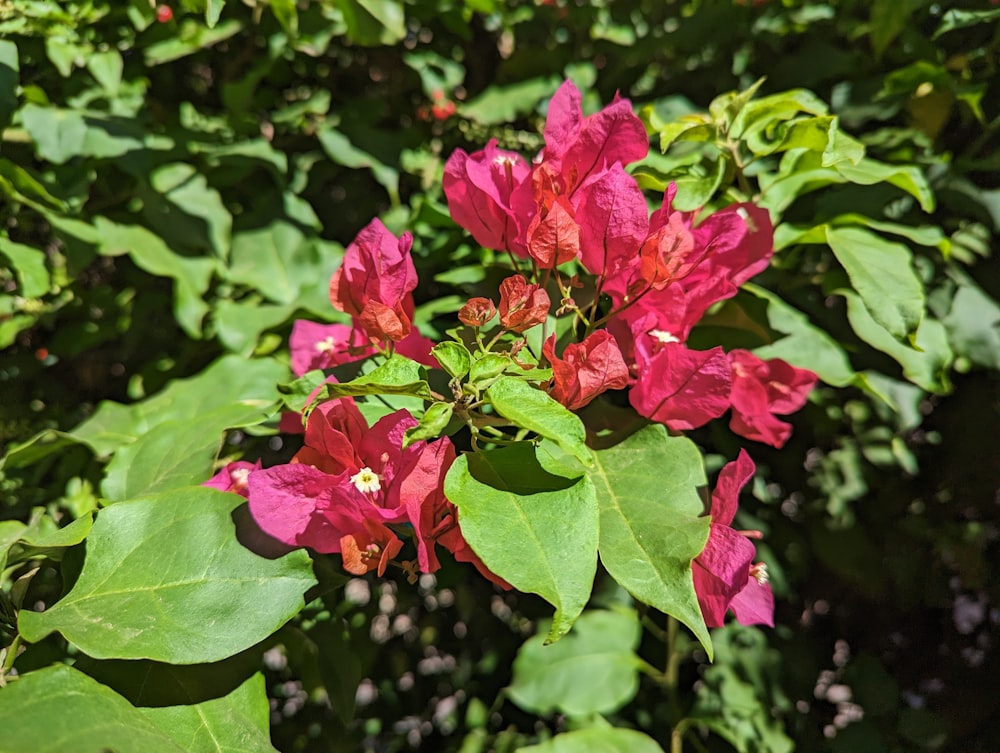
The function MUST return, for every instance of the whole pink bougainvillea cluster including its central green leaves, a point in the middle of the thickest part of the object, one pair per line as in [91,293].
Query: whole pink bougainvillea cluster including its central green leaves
[547,430]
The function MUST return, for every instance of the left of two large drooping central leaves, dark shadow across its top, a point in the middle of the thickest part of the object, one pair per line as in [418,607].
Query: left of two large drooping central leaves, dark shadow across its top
[542,542]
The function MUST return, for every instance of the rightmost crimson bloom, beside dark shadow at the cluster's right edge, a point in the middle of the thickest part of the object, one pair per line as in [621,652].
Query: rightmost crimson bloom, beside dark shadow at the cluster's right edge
[760,390]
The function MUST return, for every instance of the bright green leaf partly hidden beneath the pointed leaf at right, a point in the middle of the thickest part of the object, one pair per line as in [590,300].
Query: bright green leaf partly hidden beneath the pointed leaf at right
[926,364]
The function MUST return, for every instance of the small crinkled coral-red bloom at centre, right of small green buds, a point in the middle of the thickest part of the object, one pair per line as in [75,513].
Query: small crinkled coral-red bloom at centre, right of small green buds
[586,369]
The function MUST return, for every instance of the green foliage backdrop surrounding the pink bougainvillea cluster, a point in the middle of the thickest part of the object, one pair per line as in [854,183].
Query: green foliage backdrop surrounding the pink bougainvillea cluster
[177,189]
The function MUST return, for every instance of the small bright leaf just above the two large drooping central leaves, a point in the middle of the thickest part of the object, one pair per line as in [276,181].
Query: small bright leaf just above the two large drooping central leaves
[532,409]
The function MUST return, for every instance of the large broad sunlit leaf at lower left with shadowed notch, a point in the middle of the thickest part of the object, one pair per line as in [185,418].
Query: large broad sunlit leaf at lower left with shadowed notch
[165,578]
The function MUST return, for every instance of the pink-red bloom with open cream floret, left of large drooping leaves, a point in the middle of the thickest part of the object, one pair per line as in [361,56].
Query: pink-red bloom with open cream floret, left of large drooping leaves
[349,482]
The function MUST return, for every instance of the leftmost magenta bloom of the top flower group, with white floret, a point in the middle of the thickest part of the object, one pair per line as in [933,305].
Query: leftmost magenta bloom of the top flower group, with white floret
[478,187]
